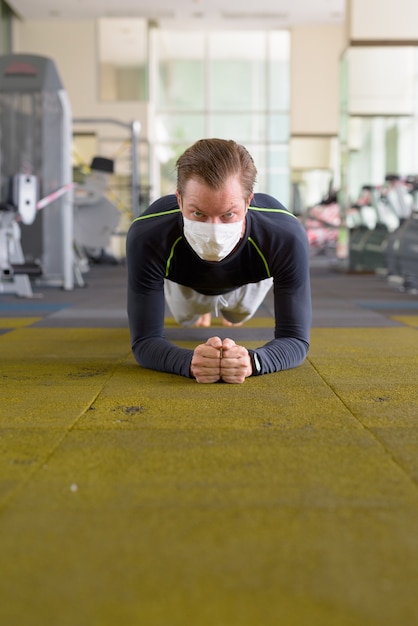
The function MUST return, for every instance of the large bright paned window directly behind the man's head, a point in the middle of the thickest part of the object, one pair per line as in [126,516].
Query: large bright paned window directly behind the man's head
[228,84]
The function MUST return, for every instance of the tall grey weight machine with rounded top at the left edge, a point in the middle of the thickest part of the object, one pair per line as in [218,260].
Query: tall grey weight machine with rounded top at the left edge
[35,142]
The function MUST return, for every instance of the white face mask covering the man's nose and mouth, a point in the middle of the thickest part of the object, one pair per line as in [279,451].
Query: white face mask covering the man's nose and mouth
[212,242]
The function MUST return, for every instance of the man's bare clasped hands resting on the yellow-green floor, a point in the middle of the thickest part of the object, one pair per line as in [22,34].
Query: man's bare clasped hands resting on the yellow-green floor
[219,359]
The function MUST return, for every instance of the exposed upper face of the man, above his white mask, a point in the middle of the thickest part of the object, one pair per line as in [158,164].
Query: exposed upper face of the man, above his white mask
[203,204]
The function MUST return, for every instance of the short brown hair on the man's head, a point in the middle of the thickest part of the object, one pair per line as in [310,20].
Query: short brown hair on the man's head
[212,161]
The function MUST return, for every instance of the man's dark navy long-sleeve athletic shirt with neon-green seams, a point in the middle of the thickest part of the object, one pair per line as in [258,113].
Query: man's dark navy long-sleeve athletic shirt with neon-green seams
[274,245]
